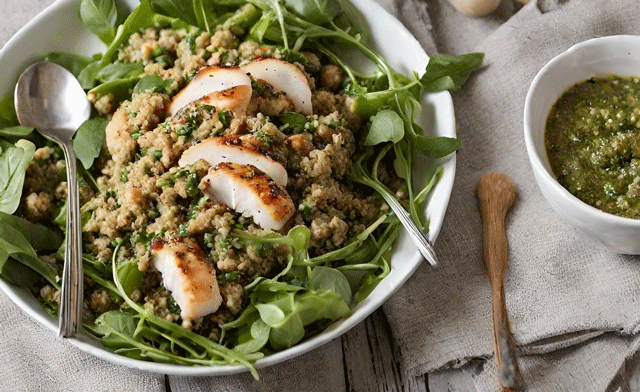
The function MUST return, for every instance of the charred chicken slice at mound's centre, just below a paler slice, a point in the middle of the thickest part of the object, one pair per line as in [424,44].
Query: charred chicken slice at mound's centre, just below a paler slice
[248,190]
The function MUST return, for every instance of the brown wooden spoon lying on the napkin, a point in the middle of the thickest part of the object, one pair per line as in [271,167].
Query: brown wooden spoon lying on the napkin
[496,193]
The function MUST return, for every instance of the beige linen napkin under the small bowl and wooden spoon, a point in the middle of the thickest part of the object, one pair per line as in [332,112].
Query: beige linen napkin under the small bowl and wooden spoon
[561,289]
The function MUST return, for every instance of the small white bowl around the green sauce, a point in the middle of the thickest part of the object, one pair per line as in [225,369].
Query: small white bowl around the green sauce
[596,57]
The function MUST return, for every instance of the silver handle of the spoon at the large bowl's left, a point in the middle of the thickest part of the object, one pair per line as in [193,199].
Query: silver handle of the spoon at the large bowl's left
[72,277]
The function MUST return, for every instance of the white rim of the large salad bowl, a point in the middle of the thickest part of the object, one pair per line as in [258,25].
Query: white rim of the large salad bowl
[399,276]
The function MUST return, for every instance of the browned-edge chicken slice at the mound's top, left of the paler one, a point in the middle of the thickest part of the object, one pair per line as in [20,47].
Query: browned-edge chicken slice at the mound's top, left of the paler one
[213,80]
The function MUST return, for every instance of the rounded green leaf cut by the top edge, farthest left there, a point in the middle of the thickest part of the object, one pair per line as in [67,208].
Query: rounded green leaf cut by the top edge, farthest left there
[100,17]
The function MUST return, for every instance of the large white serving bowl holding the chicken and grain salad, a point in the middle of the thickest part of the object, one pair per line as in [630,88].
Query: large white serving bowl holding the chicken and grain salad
[58,28]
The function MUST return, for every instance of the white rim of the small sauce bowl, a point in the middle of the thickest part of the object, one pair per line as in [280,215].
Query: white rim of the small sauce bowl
[537,160]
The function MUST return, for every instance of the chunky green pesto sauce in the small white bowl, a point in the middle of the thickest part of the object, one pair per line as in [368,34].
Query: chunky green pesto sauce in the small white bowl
[592,139]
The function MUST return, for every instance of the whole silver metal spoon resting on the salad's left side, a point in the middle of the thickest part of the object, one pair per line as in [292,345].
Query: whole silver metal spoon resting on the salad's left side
[49,98]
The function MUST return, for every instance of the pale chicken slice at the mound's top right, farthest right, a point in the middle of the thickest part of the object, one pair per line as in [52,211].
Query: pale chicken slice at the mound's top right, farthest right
[284,77]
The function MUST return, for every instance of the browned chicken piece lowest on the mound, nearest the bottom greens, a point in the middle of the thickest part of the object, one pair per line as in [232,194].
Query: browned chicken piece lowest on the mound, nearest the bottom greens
[189,276]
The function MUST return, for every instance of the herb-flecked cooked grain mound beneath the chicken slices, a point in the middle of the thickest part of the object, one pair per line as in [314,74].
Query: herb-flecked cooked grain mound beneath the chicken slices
[145,197]
